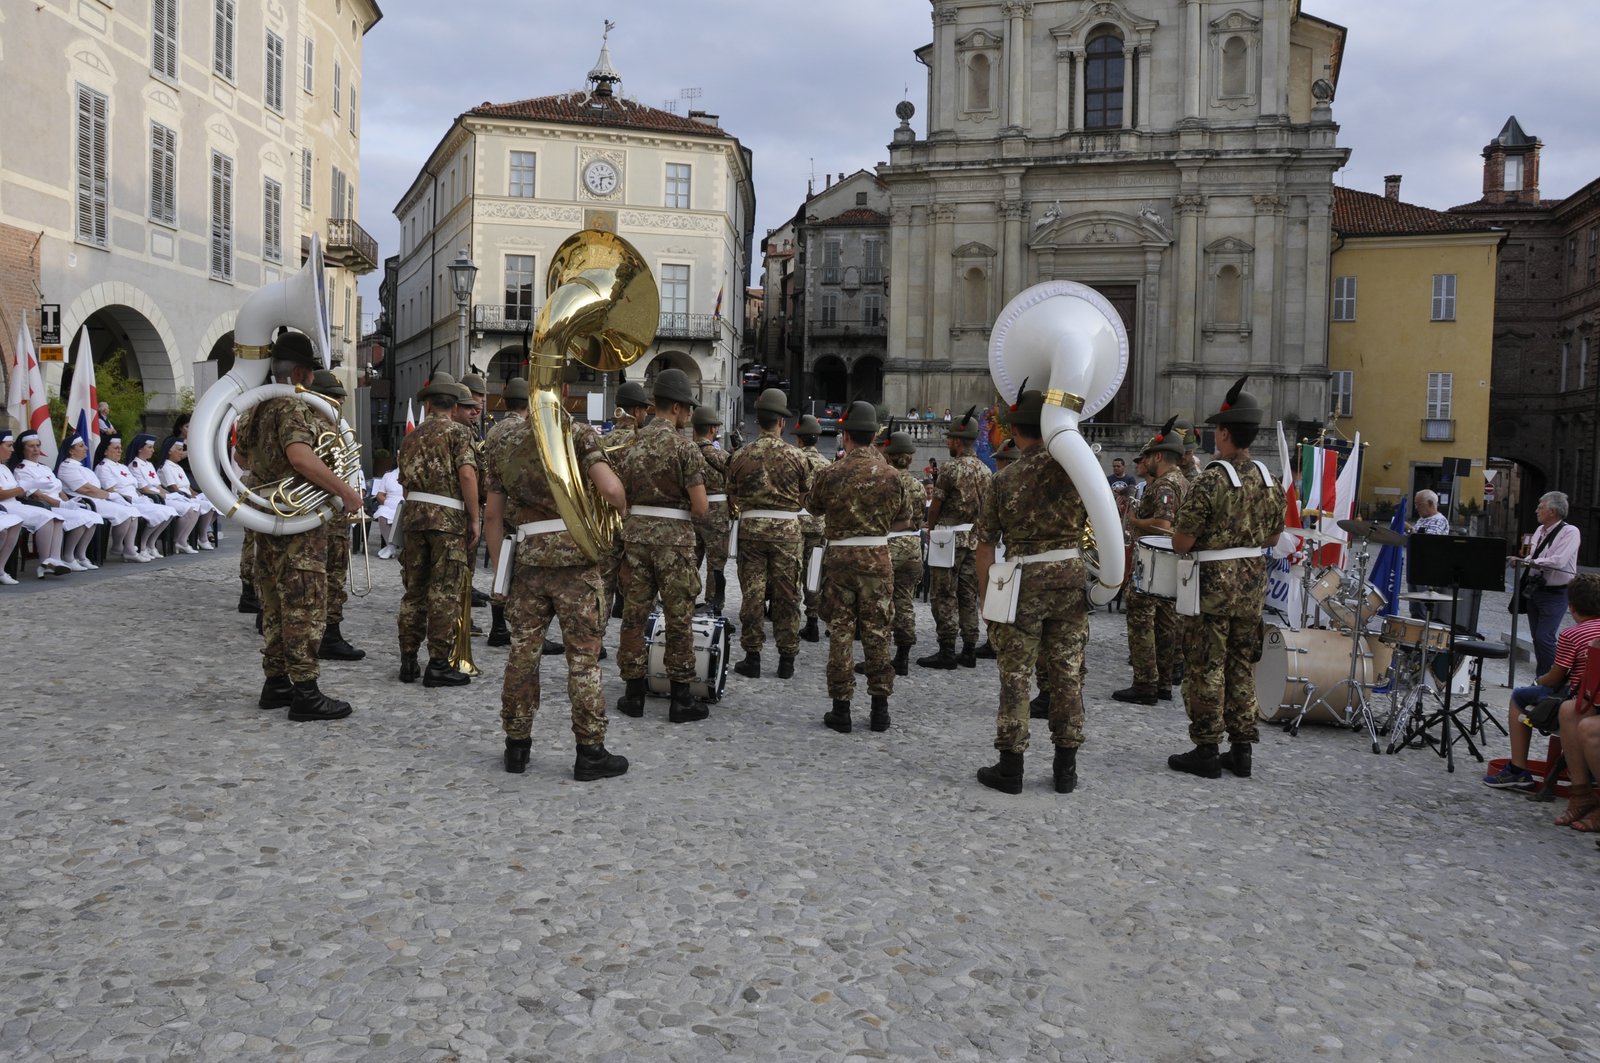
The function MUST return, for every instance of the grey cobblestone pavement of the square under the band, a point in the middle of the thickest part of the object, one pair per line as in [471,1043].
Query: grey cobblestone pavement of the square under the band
[188,878]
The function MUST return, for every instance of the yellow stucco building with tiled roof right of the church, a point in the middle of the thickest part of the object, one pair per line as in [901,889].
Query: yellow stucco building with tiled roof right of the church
[1410,339]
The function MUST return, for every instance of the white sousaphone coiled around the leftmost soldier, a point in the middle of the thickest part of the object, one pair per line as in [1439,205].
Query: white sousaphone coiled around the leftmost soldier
[287,507]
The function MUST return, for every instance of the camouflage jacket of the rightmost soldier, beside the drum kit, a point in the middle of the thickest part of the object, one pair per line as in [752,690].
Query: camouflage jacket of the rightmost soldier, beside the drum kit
[1223,516]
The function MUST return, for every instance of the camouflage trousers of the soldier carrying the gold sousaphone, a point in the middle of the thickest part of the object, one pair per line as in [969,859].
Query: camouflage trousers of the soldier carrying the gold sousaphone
[572,595]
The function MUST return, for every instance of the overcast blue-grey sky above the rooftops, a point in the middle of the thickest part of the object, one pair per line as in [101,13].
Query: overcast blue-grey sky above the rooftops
[810,89]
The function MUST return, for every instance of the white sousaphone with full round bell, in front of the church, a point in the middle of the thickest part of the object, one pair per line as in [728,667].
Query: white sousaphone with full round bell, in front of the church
[1070,343]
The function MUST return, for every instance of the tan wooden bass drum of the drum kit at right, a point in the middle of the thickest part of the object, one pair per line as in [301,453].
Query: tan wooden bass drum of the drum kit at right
[1306,665]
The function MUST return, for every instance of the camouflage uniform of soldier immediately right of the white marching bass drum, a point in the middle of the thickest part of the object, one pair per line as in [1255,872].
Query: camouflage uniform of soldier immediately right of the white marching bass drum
[769,475]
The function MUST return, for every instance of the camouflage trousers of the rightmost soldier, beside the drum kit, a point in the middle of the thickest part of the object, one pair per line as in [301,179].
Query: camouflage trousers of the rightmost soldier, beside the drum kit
[1220,678]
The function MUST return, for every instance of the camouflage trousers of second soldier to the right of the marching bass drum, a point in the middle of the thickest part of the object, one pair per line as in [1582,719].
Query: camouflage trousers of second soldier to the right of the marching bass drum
[858,596]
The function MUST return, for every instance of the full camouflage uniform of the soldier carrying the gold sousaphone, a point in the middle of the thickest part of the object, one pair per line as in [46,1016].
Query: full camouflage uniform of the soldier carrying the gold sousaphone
[551,579]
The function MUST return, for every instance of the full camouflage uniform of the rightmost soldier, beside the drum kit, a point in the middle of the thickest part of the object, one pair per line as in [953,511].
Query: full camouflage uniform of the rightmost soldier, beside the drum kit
[1223,644]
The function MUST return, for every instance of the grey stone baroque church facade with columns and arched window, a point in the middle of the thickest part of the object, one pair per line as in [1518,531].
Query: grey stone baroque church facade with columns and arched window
[1177,156]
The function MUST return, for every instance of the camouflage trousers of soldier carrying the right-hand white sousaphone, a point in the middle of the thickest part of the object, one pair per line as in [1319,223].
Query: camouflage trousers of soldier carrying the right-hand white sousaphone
[1050,635]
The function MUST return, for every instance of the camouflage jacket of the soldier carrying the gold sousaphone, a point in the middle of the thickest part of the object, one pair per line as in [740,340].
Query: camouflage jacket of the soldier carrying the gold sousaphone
[513,468]
